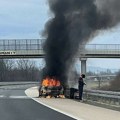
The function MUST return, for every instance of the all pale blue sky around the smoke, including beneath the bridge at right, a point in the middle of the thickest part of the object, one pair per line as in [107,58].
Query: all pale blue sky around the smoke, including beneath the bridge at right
[25,19]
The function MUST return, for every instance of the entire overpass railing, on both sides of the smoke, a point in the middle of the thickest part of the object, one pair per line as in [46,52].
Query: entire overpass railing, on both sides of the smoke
[37,44]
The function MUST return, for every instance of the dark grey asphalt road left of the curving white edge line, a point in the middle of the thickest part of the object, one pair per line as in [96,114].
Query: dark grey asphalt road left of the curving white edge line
[15,105]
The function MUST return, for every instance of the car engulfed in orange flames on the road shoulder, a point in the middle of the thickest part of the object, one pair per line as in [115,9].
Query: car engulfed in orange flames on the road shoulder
[51,87]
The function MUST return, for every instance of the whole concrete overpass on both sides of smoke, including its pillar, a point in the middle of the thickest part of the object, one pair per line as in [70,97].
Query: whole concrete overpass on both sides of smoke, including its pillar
[32,48]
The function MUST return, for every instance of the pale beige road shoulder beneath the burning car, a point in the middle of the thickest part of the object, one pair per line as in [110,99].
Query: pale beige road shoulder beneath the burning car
[74,109]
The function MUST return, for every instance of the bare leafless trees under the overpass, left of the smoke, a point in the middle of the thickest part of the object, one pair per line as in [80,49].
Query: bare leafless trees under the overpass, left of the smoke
[19,70]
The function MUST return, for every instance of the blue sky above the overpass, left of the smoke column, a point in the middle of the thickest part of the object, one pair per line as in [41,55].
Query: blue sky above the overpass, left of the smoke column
[22,18]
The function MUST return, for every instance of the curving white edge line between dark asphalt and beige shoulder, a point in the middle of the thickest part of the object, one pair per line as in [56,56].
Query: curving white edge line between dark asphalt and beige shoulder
[65,113]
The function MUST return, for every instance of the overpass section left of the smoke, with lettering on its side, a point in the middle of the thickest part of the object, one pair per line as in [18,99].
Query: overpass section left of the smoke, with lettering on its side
[21,48]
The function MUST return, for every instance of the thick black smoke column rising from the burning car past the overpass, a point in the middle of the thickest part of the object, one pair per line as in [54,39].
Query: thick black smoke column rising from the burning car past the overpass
[74,22]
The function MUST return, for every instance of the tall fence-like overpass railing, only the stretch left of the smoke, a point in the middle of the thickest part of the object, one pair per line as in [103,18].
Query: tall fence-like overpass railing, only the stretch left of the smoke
[21,44]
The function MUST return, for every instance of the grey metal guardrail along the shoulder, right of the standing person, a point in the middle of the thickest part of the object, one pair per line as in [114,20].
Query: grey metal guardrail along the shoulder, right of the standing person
[108,97]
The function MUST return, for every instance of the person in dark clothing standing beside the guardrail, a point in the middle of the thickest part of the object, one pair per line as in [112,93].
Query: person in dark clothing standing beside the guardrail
[81,85]
